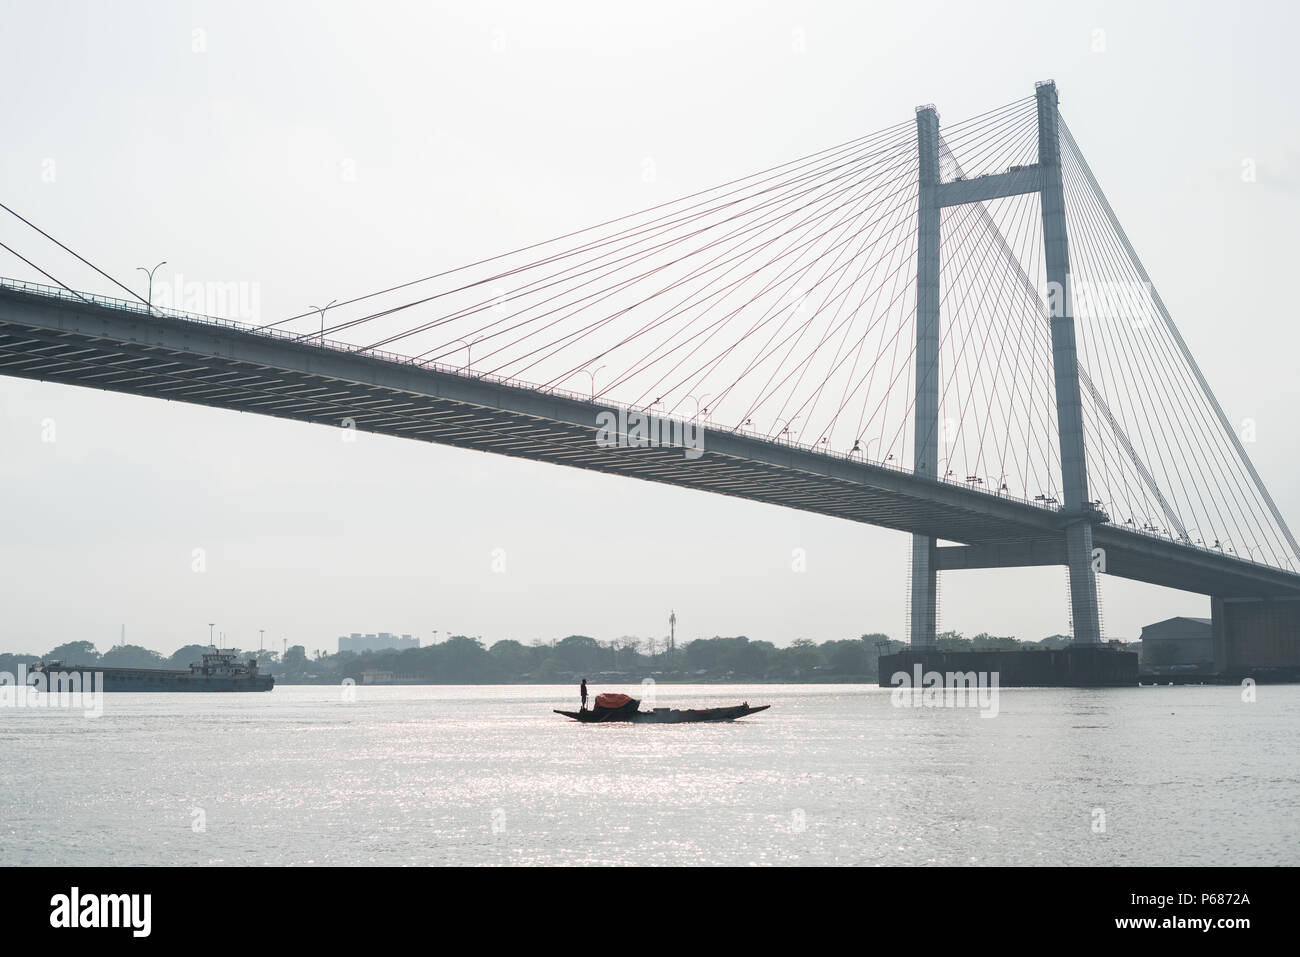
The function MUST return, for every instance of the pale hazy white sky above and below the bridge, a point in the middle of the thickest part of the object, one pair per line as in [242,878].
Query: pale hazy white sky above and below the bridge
[319,151]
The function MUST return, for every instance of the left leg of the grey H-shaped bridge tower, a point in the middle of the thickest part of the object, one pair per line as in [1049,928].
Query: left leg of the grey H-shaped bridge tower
[925,583]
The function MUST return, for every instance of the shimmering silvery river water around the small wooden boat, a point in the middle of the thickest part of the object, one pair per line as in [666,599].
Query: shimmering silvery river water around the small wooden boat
[476,776]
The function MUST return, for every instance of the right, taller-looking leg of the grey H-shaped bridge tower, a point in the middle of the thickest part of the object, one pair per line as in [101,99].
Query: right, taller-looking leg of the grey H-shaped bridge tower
[1065,362]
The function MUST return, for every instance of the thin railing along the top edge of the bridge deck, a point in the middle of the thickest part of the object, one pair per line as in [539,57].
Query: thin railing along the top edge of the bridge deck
[346,348]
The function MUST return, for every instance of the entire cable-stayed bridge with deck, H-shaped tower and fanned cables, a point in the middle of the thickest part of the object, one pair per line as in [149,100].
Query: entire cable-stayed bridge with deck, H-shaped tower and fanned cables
[937,330]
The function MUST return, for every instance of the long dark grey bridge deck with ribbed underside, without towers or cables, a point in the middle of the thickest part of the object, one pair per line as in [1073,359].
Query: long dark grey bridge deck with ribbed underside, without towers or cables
[226,367]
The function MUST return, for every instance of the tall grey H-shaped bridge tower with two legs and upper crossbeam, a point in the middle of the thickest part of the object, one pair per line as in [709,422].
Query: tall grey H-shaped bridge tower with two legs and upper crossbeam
[1078,513]
